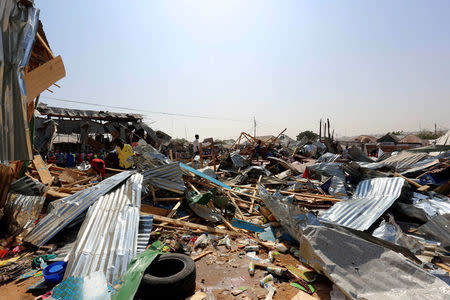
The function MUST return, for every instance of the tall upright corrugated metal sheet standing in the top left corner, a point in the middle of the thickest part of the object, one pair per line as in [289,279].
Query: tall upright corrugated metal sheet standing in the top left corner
[17,32]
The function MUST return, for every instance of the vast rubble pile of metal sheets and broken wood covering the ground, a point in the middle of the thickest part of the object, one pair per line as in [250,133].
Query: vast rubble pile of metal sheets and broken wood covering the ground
[288,224]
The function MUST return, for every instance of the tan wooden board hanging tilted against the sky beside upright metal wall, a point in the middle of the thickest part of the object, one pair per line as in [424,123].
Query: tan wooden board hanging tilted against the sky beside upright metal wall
[42,77]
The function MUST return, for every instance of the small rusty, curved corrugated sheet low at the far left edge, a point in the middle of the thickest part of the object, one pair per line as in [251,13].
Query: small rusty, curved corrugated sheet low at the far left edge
[22,211]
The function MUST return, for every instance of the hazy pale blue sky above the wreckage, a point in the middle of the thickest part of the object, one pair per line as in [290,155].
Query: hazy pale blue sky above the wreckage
[370,66]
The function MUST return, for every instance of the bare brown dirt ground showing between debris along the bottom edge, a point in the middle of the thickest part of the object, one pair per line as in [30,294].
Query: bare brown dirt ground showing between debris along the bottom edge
[218,273]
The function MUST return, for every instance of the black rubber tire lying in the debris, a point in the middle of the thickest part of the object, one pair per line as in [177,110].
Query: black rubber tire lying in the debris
[169,276]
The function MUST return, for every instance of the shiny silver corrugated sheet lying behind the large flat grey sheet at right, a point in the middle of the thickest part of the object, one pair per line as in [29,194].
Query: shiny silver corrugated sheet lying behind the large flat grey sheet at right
[371,199]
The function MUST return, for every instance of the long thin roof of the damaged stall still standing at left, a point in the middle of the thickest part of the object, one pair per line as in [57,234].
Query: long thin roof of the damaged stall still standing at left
[51,111]
